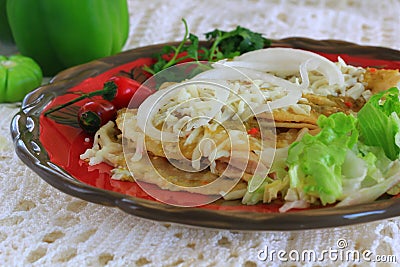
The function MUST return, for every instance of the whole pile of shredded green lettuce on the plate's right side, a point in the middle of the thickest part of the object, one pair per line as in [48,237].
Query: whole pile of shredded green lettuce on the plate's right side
[352,160]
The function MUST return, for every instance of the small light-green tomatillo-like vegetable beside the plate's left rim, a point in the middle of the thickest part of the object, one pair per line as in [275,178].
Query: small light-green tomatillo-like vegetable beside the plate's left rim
[18,76]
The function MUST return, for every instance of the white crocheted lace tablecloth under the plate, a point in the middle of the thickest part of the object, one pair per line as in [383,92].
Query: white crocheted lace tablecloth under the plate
[42,226]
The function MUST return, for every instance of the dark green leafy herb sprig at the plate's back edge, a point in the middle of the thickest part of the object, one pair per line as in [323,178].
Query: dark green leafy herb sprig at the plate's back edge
[223,44]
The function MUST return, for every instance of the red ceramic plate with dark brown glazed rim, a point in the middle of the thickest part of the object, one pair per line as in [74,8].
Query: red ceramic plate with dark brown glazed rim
[51,147]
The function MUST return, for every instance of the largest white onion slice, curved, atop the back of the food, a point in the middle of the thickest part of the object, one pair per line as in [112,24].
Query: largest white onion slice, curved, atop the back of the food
[281,59]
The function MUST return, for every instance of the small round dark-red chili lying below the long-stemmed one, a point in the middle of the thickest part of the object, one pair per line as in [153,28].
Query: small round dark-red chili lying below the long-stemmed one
[94,114]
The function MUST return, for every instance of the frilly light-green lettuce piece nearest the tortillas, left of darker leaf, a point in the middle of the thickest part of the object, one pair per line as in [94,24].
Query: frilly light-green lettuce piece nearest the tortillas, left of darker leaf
[315,162]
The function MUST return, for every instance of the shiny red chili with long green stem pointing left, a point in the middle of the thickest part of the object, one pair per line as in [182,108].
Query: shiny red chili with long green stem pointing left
[119,90]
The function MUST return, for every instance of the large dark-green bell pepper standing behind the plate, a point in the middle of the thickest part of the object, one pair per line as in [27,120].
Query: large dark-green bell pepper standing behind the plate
[62,33]
